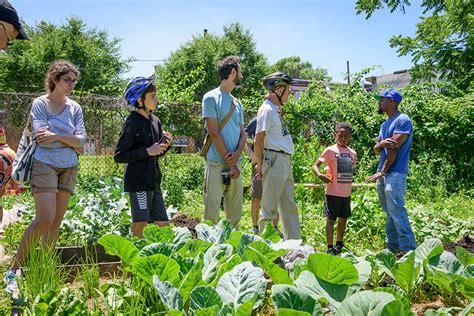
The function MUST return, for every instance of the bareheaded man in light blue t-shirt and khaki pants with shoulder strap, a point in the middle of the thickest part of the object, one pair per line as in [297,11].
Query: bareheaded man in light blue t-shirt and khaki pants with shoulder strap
[223,169]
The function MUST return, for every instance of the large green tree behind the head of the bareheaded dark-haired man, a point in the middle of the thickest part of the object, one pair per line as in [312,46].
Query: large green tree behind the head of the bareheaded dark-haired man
[177,77]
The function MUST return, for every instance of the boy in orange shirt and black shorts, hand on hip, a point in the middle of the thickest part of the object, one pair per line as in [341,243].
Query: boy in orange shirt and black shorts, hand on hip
[340,161]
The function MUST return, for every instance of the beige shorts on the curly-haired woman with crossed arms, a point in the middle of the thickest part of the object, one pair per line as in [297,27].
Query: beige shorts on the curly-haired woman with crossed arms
[47,178]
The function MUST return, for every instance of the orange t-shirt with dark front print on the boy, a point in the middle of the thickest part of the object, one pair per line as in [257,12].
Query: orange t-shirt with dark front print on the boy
[341,162]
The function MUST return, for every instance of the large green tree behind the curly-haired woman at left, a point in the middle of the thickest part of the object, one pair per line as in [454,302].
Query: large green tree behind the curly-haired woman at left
[98,57]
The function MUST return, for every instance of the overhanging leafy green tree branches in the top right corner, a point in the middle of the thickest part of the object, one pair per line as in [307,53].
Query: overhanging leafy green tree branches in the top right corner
[443,43]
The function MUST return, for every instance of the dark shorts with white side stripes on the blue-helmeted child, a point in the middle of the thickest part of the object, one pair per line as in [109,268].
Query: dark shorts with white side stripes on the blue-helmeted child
[148,206]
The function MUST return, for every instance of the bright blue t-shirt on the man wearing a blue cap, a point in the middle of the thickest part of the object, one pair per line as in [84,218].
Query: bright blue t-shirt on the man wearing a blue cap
[399,124]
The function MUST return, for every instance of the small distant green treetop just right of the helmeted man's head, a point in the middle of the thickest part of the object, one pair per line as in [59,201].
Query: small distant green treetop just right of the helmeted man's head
[301,70]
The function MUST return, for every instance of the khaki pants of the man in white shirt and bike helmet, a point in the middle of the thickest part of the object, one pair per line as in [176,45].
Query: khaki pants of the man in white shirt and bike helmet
[278,193]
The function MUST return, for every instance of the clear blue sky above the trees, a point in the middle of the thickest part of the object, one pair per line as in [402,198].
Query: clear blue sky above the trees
[326,33]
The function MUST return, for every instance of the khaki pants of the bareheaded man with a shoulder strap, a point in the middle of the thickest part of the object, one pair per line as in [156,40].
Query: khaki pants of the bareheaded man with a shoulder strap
[214,189]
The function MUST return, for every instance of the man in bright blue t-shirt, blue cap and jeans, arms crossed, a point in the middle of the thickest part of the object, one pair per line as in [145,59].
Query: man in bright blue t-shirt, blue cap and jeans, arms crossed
[393,145]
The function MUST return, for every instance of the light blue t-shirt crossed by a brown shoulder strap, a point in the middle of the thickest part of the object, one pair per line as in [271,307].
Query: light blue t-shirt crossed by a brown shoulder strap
[216,103]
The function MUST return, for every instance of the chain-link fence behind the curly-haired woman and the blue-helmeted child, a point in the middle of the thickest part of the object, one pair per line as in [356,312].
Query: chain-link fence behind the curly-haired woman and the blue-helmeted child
[103,118]
